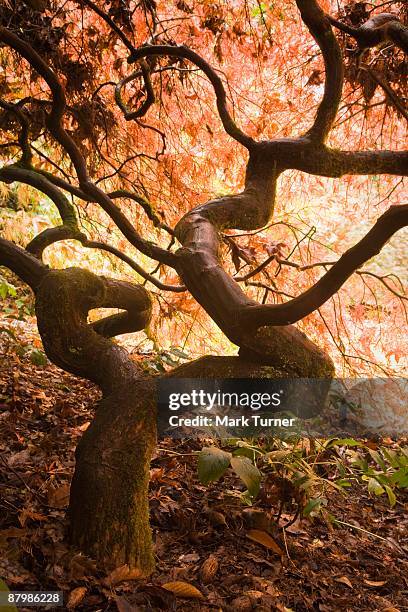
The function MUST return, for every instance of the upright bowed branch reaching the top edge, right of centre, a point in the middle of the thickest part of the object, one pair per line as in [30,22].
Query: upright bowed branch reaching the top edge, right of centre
[317,23]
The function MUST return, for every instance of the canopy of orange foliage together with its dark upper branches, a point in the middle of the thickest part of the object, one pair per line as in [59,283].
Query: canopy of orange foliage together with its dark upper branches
[128,115]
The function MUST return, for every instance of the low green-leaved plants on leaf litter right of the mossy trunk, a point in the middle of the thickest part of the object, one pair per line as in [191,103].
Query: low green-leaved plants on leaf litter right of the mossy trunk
[295,476]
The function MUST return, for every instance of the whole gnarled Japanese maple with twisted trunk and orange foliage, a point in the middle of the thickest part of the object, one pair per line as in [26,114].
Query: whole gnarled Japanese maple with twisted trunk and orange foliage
[111,106]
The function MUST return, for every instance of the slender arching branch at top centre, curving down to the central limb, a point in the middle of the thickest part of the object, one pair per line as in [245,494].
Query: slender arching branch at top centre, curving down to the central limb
[185,53]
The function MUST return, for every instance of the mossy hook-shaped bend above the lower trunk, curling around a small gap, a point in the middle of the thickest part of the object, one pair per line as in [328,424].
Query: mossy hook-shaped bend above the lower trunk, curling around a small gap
[63,300]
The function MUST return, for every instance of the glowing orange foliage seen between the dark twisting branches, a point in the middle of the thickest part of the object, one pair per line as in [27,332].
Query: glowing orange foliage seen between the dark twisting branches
[178,156]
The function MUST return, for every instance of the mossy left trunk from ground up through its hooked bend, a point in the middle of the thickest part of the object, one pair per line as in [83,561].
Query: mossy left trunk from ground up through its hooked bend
[108,510]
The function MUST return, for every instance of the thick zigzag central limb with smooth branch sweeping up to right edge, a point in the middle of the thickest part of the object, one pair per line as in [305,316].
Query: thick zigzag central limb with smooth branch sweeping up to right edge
[200,268]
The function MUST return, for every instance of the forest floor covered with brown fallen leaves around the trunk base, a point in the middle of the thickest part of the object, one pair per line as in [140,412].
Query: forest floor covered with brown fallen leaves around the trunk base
[200,533]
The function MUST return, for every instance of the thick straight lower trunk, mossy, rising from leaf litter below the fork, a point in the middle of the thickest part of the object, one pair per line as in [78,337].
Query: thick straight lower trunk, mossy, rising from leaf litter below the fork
[109,514]
